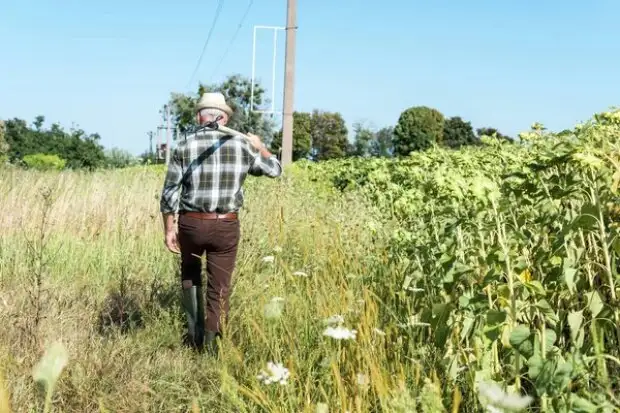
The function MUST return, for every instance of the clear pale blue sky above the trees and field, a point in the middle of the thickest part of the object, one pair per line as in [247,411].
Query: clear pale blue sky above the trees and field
[108,67]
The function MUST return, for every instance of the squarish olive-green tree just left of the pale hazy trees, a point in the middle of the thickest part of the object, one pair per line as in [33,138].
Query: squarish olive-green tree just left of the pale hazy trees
[329,135]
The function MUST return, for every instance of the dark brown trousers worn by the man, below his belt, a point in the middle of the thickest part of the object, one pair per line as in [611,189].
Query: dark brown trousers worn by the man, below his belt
[218,238]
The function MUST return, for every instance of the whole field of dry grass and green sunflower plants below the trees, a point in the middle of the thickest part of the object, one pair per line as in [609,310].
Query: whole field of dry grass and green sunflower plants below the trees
[457,269]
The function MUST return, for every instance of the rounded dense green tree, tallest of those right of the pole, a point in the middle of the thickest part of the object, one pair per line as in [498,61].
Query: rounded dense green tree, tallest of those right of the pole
[418,129]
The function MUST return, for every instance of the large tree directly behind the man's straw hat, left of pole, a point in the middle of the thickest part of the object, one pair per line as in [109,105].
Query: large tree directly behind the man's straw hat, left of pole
[238,93]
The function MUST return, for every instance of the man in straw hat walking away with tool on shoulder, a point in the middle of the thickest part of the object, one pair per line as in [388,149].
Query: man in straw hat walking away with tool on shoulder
[209,168]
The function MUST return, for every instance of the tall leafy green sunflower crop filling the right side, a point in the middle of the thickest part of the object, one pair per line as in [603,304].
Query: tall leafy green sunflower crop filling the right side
[507,254]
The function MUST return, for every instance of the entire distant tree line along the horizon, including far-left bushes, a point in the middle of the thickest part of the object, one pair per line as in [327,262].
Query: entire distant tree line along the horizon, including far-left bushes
[317,135]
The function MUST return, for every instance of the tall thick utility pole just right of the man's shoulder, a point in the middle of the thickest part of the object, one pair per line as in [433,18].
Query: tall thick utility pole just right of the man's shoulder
[289,83]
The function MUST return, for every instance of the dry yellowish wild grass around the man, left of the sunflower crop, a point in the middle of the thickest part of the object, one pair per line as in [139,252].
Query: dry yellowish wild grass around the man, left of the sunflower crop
[79,251]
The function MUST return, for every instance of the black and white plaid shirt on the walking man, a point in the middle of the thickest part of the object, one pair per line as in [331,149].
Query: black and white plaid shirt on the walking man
[211,168]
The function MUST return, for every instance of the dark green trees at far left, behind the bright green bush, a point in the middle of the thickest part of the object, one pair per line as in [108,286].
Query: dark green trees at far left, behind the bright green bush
[78,149]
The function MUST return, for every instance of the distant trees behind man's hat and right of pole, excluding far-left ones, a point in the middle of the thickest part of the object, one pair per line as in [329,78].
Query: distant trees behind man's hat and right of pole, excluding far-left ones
[321,135]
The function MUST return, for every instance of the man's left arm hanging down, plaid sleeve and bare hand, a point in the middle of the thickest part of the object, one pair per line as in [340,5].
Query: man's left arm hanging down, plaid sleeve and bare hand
[169,202]
